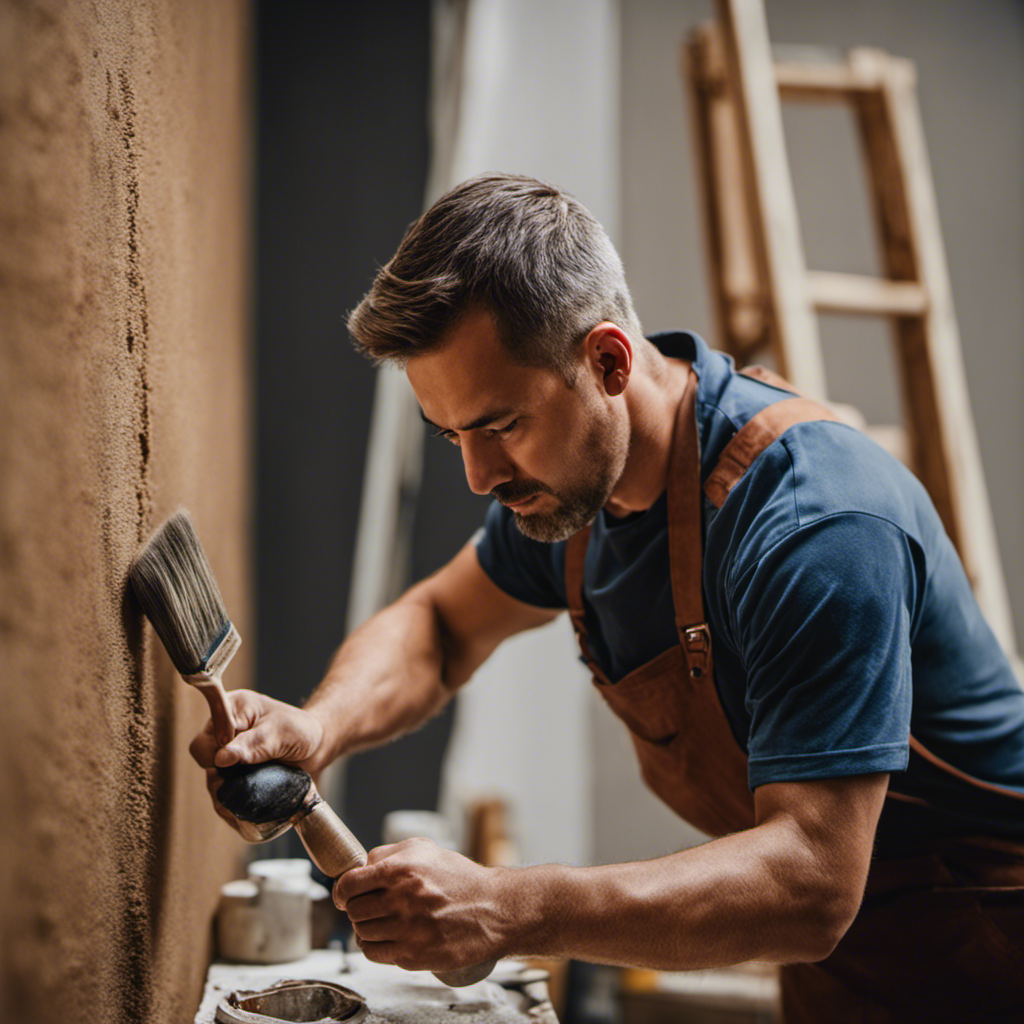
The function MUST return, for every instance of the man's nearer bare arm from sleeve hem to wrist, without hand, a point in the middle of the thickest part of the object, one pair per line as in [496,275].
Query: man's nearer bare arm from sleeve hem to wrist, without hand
[784,891]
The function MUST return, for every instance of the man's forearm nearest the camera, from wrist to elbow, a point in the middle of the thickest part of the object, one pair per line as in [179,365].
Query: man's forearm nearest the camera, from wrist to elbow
[754,895]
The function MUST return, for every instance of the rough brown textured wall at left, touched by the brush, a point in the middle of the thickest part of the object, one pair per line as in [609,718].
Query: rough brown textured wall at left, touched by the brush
[123,167]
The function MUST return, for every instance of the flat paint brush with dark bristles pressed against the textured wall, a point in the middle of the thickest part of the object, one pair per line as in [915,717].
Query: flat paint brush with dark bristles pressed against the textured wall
[174,582]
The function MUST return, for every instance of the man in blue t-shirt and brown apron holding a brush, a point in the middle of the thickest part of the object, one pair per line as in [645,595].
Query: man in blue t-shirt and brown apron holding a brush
[766,600]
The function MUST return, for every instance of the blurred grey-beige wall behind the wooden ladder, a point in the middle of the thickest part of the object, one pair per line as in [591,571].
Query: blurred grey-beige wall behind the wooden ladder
[969,60]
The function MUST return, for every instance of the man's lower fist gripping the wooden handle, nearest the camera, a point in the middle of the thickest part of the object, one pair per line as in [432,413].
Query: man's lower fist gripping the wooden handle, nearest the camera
[424,909]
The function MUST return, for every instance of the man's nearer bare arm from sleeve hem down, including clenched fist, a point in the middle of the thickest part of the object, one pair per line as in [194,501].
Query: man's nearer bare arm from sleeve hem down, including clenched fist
[785,891]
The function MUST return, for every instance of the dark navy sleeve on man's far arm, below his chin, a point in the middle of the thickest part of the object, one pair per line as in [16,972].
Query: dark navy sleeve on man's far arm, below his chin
[529,571]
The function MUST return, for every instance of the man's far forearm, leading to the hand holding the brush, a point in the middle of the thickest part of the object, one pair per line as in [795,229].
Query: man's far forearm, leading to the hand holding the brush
[387,679]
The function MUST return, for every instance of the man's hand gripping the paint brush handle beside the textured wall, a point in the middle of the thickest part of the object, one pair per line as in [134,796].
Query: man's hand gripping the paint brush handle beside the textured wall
[266,731]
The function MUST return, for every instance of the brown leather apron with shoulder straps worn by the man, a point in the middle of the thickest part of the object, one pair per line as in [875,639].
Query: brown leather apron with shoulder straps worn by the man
[941,935]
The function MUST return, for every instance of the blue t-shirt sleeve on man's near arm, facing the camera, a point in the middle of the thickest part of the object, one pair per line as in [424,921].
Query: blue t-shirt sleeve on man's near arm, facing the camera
[823,623]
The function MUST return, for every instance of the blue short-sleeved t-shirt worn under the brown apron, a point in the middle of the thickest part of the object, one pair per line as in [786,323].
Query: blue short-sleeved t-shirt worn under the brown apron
[842,621]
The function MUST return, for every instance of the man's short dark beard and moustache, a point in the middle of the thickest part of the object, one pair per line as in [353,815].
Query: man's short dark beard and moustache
[599,464]
